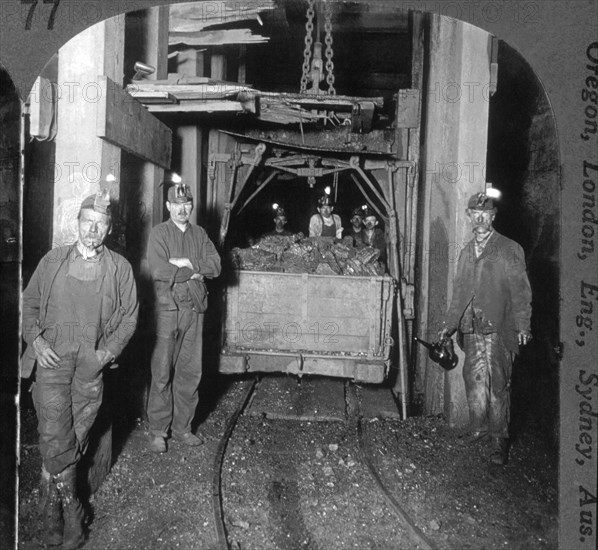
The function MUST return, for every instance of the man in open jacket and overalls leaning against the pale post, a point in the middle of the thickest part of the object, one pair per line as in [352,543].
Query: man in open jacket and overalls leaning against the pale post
[79,311]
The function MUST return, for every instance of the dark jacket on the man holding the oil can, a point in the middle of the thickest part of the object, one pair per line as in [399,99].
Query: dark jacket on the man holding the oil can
[496,283]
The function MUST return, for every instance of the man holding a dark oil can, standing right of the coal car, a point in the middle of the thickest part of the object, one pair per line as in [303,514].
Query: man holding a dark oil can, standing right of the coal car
[491,309]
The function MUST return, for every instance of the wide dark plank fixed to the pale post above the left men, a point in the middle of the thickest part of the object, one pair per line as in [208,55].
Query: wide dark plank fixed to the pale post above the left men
[126,123]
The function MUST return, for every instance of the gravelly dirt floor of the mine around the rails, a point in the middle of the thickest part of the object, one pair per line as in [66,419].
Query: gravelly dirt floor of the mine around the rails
[297,484]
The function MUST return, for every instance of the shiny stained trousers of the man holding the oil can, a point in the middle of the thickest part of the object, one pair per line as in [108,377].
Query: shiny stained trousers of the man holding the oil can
[487,374]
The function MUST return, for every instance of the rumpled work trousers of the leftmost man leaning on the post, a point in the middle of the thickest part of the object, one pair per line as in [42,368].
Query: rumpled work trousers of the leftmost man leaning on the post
[67,400]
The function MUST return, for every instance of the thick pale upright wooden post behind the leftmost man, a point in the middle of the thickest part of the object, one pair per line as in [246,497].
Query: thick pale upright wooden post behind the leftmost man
[83,160]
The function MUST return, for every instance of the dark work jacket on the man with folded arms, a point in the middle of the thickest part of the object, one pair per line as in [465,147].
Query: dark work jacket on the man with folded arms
[167,241]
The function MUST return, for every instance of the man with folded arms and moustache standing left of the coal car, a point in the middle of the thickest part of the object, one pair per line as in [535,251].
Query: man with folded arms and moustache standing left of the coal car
[180,256]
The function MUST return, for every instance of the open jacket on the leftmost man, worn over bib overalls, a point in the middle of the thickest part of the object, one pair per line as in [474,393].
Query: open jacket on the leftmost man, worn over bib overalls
[119,302]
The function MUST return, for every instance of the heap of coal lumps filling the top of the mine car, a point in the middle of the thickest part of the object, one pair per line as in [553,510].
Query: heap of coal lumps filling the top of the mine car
[299,254]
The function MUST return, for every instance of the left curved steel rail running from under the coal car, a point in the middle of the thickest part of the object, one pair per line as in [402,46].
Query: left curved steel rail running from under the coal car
[217,508]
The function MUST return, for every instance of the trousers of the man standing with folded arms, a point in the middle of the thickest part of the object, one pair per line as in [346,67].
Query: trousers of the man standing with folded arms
[176,371]
